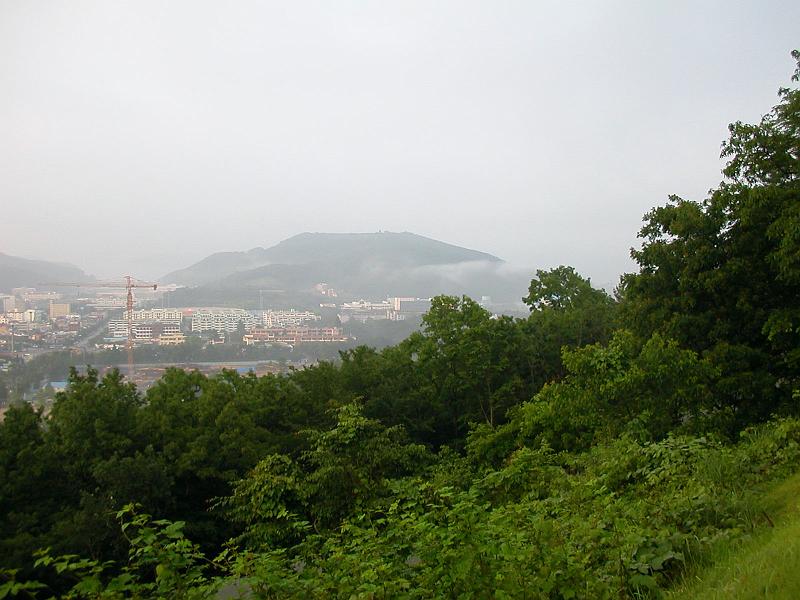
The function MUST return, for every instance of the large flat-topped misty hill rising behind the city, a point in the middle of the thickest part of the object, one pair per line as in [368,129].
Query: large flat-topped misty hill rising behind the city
[355,264]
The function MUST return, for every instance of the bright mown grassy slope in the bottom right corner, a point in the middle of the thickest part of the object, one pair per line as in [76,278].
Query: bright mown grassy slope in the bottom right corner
[766,565]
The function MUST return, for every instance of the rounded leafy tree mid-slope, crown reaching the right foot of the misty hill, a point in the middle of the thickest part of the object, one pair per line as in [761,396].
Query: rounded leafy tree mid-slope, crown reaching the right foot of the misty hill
[465,366]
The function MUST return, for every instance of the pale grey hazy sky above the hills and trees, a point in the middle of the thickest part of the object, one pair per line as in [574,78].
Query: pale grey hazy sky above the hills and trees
[141,136]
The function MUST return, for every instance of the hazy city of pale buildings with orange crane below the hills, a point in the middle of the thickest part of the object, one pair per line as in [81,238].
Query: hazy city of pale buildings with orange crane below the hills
[95,323]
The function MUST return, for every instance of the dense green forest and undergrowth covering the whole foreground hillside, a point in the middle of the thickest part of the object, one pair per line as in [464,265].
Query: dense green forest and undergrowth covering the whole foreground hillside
[598,448]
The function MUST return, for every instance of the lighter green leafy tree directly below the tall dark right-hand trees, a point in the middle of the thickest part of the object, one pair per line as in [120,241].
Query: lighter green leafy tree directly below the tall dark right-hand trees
[650,389]
